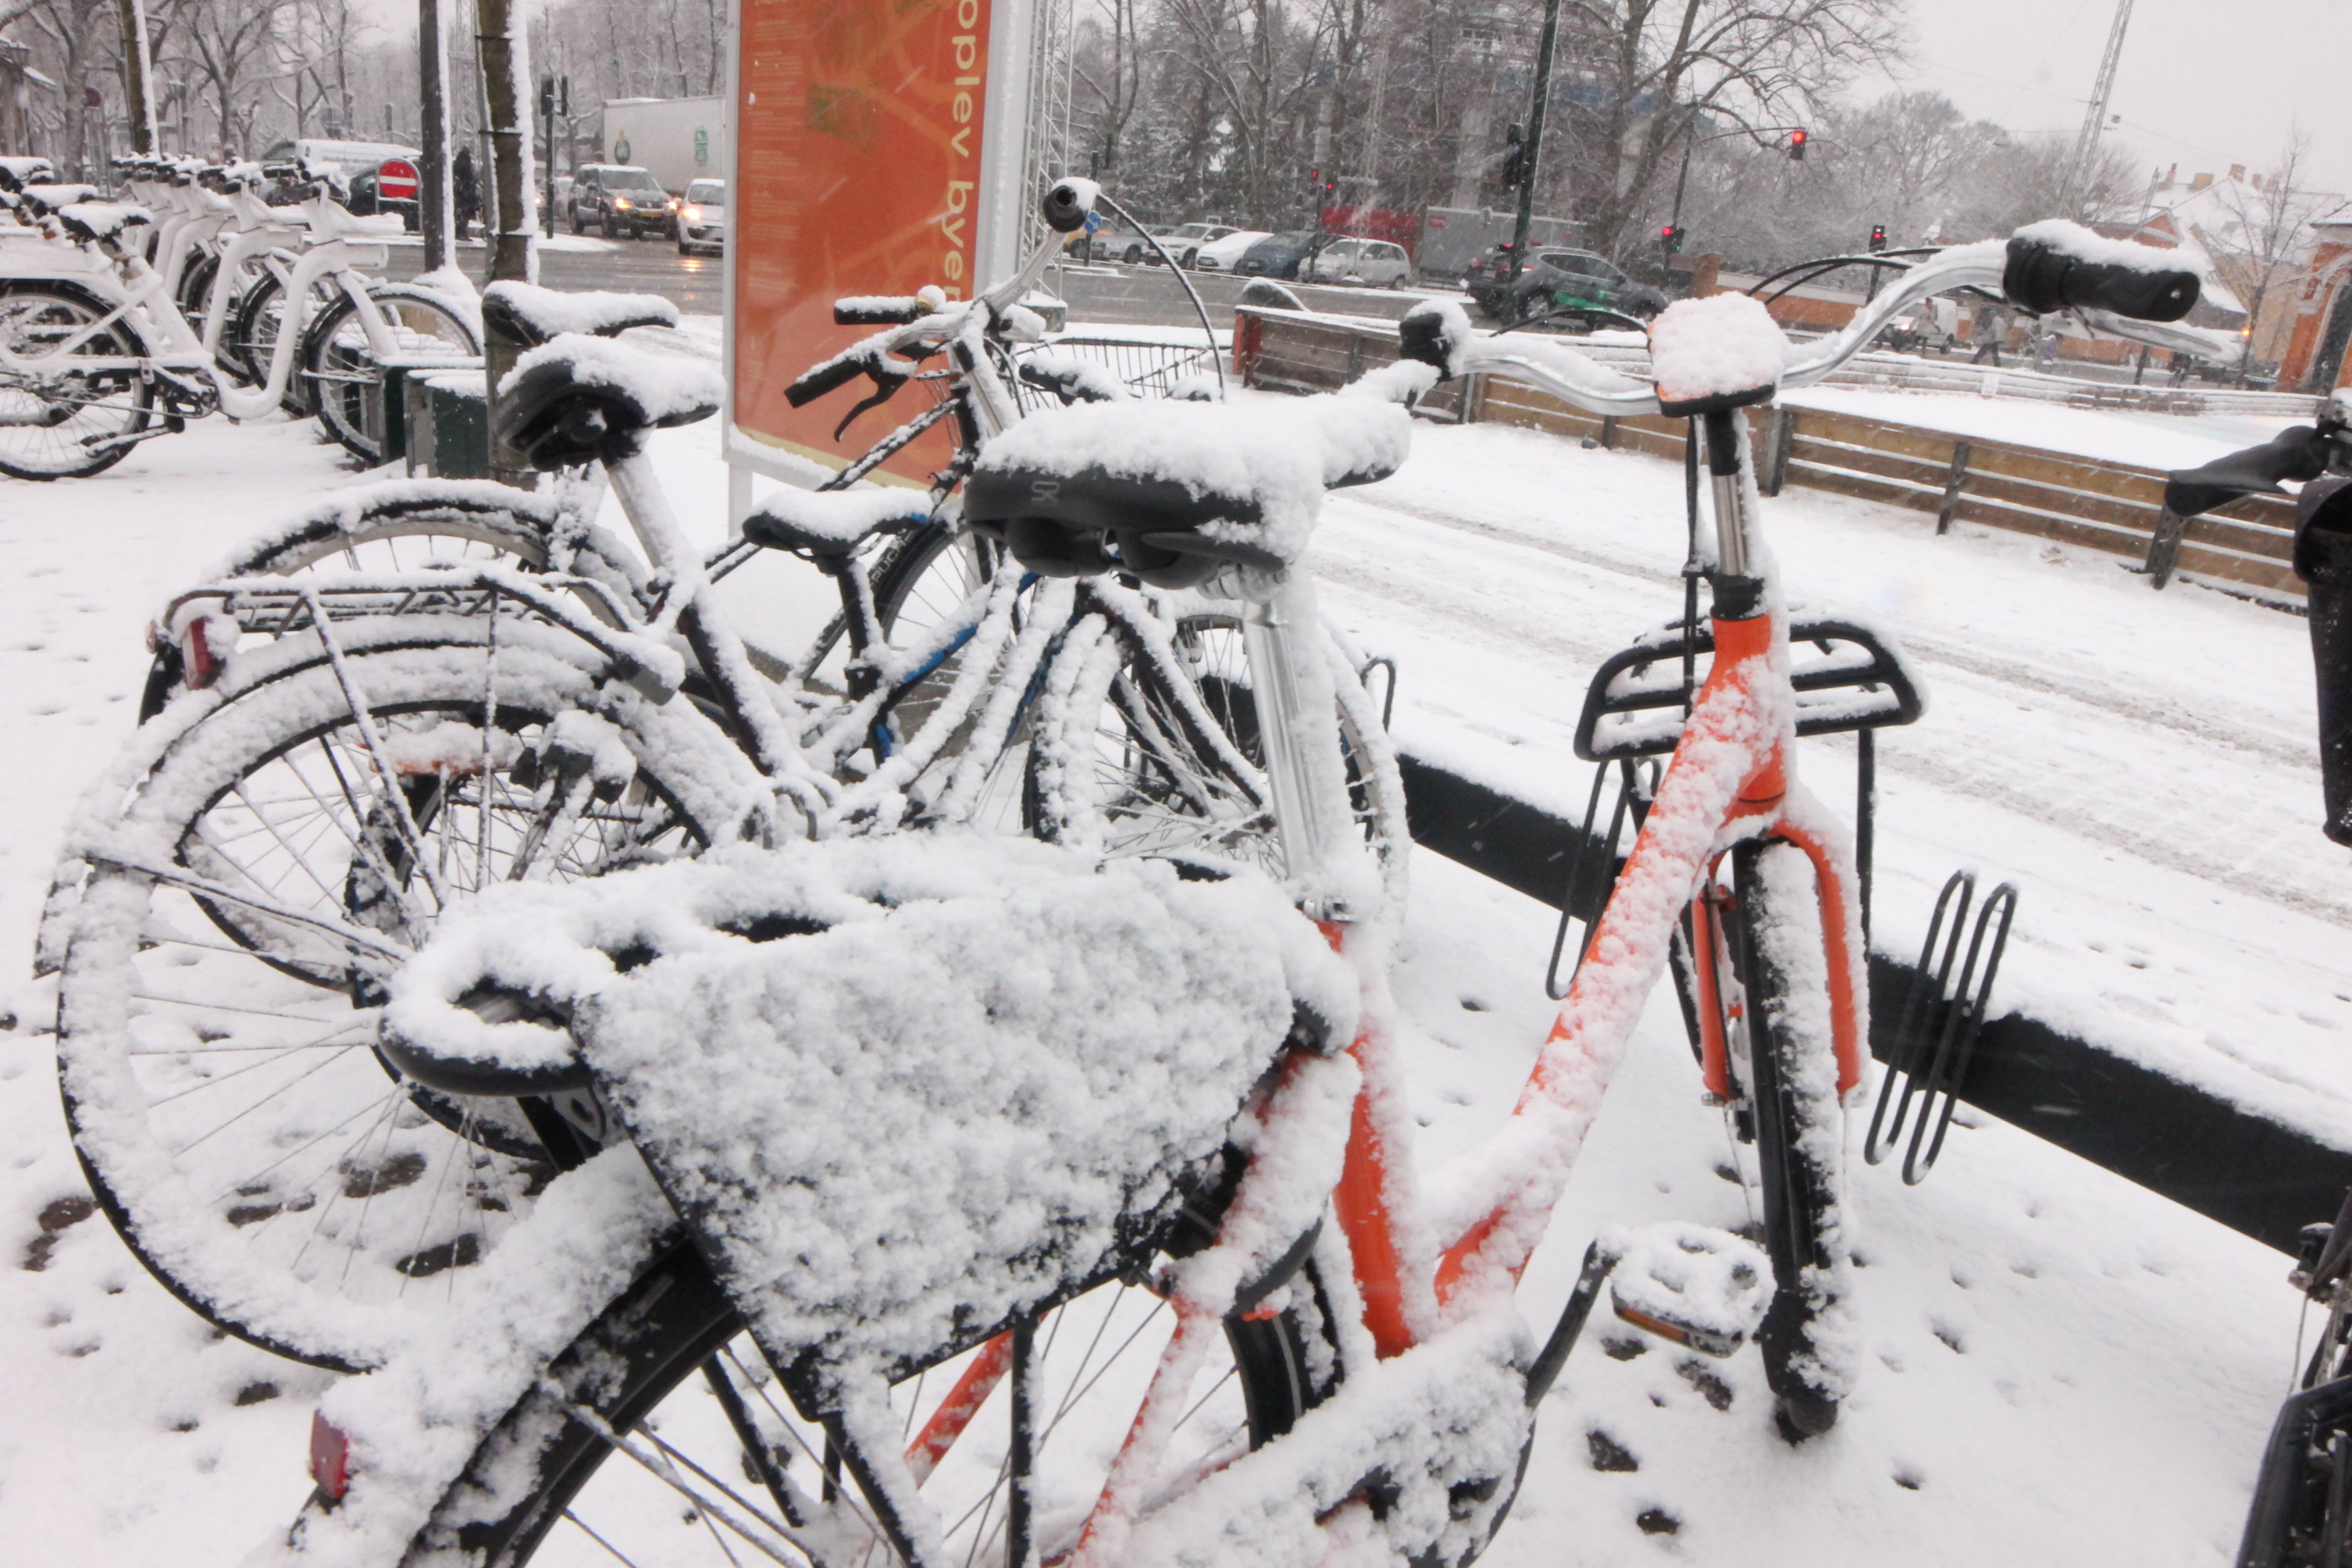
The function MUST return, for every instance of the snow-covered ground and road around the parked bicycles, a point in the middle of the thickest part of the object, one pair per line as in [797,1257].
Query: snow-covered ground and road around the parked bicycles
[2062,1367]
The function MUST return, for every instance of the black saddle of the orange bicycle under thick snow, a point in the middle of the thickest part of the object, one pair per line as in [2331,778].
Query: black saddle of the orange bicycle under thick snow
[1175,490]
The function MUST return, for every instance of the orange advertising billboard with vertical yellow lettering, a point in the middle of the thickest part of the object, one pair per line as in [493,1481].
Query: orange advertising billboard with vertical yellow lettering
[860,170]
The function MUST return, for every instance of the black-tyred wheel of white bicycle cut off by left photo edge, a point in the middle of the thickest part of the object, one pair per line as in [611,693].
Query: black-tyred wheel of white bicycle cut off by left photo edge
[60,422]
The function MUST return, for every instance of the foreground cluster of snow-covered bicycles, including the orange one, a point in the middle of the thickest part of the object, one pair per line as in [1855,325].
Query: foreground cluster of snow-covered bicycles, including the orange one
[930,1094]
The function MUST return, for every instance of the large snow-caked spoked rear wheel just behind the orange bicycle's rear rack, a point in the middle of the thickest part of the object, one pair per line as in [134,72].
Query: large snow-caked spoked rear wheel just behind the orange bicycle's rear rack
[218,1057]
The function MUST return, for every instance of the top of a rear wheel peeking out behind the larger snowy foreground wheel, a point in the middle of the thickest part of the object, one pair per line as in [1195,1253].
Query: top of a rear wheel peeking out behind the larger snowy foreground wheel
[413,525]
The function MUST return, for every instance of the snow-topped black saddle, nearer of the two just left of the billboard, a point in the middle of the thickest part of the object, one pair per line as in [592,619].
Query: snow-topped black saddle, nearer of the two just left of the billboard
[582,401]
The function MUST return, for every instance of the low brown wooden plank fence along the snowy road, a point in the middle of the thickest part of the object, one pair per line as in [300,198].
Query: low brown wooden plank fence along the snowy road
[2054,495]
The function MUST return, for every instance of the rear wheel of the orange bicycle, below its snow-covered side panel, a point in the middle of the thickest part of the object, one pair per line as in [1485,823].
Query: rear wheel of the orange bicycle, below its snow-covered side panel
[530,1473]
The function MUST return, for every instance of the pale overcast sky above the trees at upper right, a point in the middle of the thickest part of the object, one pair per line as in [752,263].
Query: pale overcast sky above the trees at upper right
[2203,83]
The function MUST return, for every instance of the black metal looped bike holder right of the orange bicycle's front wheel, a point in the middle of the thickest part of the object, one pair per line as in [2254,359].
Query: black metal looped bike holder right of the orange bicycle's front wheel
[1942,1021]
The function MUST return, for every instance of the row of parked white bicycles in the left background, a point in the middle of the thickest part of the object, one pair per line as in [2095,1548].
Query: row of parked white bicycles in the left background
[126,319]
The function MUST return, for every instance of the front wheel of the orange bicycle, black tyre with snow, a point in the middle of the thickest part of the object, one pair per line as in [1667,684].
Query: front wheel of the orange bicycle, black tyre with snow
[1784,977]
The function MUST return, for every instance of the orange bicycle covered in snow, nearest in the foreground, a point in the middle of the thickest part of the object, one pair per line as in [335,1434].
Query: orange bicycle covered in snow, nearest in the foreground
[930,1130]
